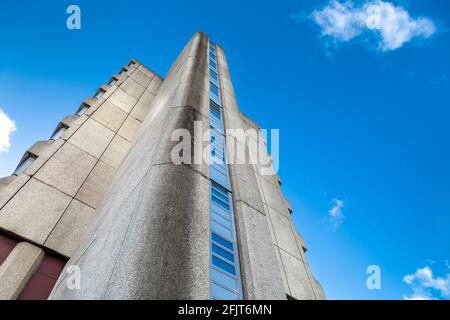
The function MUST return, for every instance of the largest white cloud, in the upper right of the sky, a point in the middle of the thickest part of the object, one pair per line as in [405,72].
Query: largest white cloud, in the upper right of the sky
[392,24]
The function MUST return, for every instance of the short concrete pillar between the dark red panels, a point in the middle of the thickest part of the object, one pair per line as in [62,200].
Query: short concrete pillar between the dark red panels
[18,268]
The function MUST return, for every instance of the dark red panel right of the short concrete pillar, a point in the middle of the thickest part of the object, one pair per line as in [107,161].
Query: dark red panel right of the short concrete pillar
[43,280]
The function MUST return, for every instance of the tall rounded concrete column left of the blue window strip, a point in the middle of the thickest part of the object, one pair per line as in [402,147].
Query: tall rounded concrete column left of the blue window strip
[150,238]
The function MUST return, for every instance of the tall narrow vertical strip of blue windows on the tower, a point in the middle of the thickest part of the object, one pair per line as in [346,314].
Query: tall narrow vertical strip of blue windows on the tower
[226,281]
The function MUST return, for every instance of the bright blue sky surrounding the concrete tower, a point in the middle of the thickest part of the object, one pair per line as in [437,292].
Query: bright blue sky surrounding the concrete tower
[363,113]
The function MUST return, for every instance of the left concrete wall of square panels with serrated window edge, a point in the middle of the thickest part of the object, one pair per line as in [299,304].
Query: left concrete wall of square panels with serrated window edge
[53,201]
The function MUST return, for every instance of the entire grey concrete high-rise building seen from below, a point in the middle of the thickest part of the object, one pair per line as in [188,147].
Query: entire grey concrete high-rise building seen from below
[104,197]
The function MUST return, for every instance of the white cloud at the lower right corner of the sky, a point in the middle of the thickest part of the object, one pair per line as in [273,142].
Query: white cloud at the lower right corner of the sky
[423,284]
